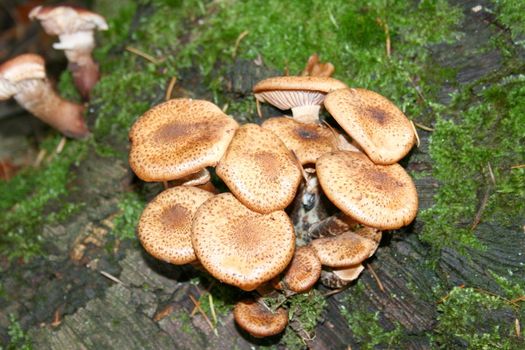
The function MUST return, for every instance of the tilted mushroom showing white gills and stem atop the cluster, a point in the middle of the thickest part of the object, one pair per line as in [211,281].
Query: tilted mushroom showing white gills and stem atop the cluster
[303,95]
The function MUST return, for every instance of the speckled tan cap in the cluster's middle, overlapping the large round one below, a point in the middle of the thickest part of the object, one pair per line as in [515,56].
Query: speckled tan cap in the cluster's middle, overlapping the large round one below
[259,170]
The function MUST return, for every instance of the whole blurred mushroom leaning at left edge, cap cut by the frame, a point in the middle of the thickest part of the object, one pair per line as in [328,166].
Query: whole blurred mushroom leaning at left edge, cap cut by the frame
[24,78]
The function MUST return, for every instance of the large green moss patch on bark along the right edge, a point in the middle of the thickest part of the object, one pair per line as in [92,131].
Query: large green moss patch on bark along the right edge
[489,133]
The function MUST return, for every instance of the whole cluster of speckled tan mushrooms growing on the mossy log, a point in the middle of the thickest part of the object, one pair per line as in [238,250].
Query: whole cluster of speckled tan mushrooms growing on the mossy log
[244,237]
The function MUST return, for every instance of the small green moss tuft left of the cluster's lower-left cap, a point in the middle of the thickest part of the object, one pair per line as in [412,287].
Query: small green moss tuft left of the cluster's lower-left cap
[131,206]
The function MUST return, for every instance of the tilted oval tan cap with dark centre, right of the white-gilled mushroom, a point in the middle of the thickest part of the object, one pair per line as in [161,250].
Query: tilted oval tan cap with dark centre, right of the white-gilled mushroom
[375,123]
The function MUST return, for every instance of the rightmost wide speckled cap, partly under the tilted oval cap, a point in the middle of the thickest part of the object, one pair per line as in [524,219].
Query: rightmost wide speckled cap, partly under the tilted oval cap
[381,196]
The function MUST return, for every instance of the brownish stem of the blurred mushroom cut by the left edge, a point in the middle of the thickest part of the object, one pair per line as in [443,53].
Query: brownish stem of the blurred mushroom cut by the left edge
[39,98]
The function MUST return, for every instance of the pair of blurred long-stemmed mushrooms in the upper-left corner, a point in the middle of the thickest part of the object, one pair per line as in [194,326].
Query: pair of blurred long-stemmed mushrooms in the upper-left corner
[24,77]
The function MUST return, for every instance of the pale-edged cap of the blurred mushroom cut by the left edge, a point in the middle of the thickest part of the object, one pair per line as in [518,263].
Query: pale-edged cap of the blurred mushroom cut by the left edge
[18,69]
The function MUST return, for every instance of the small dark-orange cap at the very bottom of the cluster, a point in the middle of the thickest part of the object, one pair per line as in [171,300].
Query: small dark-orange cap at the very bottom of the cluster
[258,320]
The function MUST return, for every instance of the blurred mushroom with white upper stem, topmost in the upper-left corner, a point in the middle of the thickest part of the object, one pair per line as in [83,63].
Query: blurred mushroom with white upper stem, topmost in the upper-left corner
[75,28]
